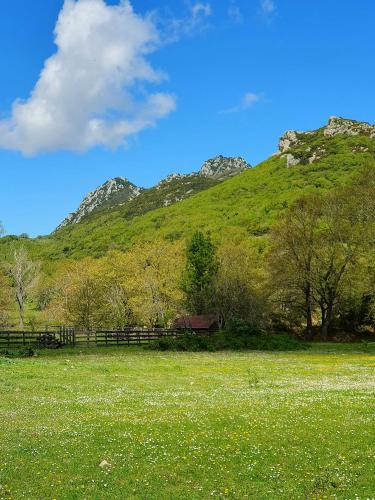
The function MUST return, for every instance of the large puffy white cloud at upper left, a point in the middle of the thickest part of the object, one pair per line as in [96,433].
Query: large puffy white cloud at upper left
[90,91]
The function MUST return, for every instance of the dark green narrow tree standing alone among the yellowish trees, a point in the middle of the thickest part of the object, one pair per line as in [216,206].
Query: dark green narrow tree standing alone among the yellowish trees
[200,273]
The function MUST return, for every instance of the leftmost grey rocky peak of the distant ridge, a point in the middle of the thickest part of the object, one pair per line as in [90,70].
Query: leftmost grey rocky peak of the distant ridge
[109,194]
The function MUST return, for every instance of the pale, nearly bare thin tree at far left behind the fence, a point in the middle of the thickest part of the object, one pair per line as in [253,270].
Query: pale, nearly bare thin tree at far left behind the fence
[23,274]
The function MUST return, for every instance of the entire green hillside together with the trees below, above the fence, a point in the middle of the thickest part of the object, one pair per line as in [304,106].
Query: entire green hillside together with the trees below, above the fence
[283,249]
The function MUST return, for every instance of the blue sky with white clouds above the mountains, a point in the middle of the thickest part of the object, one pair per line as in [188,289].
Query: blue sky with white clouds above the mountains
[94,89]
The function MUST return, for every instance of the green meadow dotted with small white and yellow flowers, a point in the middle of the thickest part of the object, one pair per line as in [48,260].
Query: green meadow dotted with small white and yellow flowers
[169,425]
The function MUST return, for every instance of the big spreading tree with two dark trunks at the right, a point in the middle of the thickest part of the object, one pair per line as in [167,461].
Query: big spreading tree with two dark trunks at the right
[319,245]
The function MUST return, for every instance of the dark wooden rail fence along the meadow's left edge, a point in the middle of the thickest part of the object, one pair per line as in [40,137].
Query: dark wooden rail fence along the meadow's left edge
[70,337]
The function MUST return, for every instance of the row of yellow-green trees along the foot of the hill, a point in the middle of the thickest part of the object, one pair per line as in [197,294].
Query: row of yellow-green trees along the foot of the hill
[316,277]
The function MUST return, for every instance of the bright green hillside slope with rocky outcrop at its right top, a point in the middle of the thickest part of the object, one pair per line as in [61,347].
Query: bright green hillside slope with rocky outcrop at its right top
[243,206]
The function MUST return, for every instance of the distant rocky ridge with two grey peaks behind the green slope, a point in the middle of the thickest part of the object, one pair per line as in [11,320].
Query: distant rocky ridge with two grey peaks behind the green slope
[174,188]
